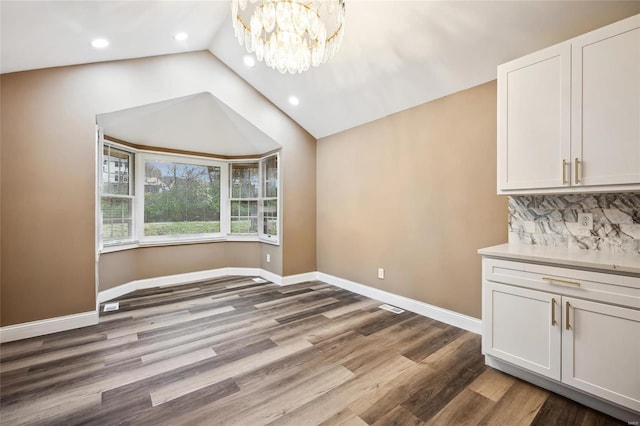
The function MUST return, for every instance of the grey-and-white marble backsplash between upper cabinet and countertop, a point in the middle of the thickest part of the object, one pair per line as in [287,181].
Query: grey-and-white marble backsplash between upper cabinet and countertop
[552,220]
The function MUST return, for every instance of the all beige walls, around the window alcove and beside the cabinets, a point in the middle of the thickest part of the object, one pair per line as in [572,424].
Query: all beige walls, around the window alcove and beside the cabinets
[413,193]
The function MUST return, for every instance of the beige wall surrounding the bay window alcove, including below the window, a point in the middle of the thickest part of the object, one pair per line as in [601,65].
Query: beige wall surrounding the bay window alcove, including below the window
[48,169]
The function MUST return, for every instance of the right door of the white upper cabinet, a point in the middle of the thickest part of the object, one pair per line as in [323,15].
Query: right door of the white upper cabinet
[606,105]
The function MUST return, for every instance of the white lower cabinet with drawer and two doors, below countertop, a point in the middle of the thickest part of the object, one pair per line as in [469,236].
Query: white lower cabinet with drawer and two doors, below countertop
[541,320]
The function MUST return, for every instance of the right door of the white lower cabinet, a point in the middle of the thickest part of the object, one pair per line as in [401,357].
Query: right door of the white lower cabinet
[601,350]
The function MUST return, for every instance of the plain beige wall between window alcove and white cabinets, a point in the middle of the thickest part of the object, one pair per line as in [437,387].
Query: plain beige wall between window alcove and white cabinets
[414,193]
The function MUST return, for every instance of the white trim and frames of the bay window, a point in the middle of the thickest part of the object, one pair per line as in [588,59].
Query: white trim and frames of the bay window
[139,240]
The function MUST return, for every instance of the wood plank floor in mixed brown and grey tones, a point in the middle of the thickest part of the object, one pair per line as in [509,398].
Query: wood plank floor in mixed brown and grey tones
[233,351]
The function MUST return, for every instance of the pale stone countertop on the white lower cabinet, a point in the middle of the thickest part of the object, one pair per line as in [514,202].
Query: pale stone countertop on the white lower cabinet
[626,263]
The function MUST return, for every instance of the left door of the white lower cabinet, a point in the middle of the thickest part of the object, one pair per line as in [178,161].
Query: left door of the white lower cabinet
[522,327]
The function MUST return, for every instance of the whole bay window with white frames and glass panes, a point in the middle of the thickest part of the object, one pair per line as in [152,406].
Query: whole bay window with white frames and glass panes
[155,198]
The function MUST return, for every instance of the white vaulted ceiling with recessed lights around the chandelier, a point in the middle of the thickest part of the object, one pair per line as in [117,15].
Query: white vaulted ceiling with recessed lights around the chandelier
[395,54]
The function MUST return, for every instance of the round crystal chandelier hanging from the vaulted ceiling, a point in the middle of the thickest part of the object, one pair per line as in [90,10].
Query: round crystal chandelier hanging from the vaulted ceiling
[289,35]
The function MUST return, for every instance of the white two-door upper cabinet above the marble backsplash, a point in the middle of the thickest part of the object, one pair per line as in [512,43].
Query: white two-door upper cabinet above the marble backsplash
[569,115]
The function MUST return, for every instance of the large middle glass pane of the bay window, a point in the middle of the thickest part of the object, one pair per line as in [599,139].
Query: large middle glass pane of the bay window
[181,198]
